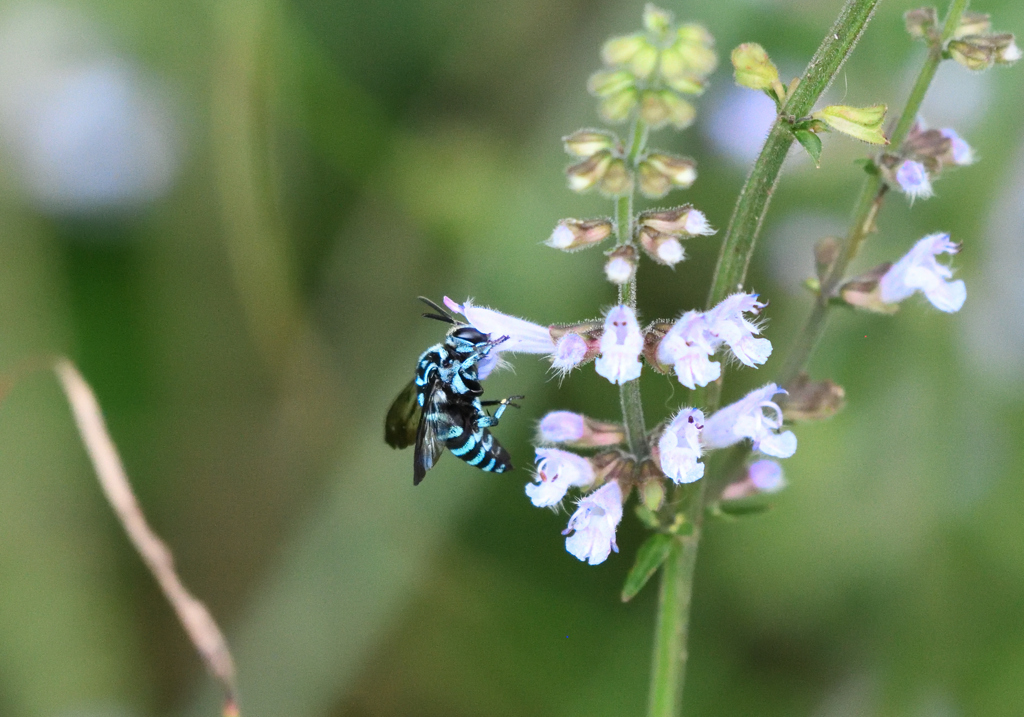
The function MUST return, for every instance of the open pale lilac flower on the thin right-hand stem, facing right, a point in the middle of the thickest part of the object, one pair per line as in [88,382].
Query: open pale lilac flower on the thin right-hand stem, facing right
[920,272]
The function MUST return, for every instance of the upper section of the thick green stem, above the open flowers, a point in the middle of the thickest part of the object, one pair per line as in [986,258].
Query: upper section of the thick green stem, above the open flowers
[752,205]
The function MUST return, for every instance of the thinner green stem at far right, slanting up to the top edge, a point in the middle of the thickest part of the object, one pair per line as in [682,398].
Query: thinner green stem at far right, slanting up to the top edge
[867,212]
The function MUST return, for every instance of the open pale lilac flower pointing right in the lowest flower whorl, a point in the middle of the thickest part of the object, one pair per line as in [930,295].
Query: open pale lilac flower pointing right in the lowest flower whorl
[756,417]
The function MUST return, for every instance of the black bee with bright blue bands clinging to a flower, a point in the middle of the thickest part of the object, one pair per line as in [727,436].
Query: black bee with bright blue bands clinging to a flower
[442,408]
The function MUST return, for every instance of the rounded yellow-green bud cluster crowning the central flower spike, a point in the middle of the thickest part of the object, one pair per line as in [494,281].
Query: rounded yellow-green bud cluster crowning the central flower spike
[651,72]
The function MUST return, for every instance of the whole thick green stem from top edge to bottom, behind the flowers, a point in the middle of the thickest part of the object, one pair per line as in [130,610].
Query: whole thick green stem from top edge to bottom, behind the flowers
[670,657]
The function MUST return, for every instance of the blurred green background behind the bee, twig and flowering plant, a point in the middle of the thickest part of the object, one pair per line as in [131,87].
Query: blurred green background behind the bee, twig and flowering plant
[224,212]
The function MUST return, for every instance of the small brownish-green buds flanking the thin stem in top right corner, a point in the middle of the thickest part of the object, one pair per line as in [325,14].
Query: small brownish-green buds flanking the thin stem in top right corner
[973,45]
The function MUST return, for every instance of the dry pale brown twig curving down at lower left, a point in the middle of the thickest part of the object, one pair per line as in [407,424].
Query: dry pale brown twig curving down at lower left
[195,618]
